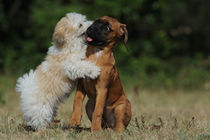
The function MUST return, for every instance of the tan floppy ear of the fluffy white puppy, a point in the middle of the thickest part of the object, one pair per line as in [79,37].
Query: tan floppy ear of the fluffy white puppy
[59,33]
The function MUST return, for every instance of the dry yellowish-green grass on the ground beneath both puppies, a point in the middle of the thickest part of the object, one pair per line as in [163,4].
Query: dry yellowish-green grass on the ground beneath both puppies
[156,115]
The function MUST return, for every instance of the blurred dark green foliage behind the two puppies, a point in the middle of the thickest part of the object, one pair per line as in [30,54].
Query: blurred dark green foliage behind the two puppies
[169,40]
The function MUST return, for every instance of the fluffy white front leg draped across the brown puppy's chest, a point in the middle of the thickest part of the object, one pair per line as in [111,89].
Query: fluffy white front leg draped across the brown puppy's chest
[81,69]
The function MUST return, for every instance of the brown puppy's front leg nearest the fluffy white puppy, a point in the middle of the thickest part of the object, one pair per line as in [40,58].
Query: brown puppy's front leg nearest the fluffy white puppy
[77,108]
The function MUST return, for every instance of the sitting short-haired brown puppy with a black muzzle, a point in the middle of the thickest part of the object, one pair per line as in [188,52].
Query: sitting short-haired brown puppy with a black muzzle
[107,105]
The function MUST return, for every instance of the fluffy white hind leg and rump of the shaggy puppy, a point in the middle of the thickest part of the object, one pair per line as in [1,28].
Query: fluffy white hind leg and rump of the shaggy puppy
[37,113]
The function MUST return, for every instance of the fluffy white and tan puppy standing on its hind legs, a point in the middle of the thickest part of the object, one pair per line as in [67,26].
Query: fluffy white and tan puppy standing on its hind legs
[54,79]
